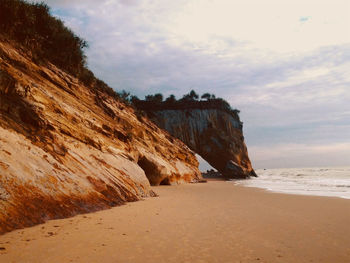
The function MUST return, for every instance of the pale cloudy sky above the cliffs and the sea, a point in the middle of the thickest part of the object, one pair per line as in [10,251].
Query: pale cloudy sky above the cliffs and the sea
[285,64]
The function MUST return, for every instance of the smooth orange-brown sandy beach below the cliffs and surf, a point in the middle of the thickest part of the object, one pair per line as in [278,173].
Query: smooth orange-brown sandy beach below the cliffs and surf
[213,222]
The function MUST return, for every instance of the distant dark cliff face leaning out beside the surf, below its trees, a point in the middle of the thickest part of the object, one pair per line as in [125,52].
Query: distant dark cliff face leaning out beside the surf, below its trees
[214,134]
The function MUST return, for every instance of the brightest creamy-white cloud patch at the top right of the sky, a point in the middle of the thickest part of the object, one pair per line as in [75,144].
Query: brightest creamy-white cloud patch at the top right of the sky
[273,25]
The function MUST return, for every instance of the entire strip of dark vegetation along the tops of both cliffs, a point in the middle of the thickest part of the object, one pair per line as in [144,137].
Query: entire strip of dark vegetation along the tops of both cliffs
[32,27]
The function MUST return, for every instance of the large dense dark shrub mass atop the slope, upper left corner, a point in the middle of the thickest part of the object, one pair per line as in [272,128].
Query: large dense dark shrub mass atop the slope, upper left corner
[45,36]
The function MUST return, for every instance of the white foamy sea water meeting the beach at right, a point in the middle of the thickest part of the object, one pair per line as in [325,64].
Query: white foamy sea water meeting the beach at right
[306,181]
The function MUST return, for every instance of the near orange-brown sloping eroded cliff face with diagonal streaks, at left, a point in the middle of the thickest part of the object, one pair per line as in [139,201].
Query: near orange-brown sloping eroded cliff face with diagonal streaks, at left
[65,149]
